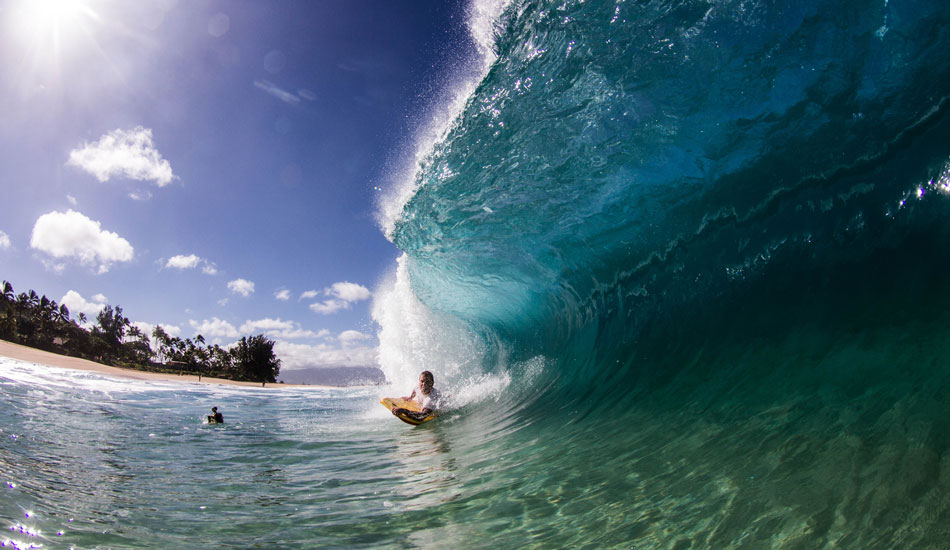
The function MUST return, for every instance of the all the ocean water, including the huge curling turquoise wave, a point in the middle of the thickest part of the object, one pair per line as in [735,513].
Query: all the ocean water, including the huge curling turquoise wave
[681,266]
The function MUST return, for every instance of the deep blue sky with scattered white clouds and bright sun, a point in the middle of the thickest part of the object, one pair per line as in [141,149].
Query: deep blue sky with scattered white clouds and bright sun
[215,167]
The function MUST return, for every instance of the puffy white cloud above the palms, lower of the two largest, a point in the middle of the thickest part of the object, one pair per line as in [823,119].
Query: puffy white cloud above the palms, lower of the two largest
[73,235]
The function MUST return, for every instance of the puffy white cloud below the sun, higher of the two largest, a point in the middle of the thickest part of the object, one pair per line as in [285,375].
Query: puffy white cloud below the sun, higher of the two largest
[124,153]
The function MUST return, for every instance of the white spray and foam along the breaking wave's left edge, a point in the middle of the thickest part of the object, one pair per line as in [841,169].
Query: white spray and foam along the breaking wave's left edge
[413,337]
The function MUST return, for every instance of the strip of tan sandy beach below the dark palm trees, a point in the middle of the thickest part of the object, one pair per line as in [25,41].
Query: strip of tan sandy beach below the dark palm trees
[48,359]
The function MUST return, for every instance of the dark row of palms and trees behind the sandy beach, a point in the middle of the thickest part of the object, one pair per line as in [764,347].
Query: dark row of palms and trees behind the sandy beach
[37,321]
